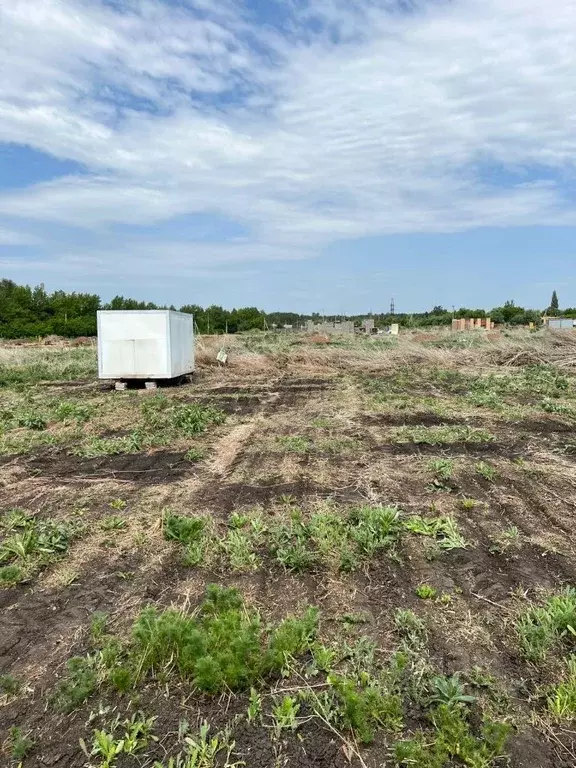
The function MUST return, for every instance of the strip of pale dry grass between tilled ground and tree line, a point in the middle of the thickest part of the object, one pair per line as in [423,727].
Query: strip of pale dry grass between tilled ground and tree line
[258,354]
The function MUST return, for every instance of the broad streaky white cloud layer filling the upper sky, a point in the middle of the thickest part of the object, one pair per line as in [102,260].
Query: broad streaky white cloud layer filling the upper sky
[302,139]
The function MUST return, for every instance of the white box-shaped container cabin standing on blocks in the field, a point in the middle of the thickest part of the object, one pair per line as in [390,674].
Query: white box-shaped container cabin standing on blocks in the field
[148,344]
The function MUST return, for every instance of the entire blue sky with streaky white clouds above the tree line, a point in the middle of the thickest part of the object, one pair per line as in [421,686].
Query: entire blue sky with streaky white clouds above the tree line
[323,155]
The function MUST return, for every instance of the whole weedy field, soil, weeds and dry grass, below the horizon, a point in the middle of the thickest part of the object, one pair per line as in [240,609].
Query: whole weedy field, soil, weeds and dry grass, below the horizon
[356,553]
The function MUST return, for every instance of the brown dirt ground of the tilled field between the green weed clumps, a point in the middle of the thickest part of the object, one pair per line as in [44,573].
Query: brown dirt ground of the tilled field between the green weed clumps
[306,439]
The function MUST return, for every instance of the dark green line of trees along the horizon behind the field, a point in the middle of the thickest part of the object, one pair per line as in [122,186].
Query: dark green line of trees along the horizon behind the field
[27,312]
